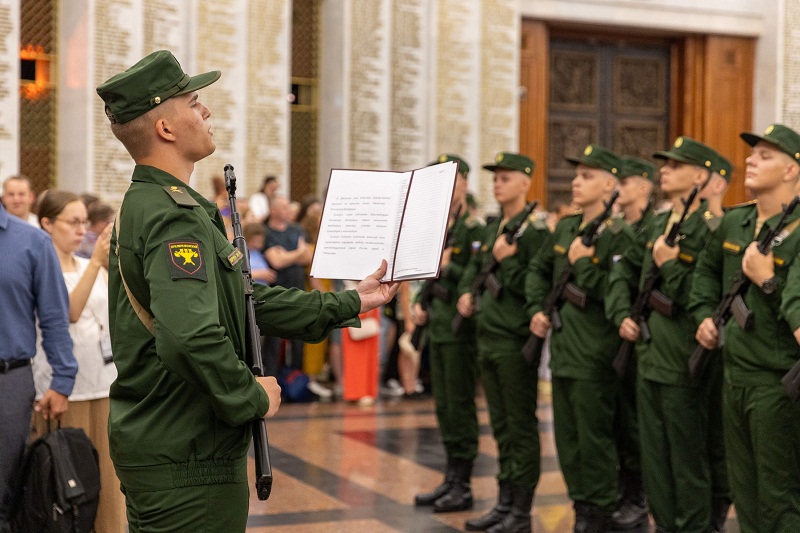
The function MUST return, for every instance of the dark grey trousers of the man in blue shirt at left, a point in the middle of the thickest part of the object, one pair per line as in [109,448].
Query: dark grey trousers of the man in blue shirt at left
[16,406]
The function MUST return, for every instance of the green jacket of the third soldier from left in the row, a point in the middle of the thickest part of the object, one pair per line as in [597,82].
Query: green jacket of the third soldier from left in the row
[586,345]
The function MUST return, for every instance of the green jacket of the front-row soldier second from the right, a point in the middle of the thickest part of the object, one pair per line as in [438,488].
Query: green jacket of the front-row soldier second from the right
[665,358]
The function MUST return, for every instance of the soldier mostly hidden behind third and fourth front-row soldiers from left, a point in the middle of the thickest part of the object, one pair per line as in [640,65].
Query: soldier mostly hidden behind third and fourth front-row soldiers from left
[635,202]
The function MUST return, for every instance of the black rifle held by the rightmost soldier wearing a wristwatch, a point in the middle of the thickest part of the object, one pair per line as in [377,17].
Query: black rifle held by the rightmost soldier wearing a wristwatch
[732,303]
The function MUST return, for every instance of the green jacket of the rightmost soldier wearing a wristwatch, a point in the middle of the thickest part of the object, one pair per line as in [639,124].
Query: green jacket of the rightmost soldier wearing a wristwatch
[763,354]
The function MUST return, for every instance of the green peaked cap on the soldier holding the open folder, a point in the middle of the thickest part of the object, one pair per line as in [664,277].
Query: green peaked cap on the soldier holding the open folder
[151,81]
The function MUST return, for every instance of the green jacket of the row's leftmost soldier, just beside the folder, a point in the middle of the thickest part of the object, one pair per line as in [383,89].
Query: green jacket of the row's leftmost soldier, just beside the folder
[467,236]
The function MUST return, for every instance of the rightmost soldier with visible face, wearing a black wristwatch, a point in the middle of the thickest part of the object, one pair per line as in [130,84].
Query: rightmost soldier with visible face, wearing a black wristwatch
[761,424]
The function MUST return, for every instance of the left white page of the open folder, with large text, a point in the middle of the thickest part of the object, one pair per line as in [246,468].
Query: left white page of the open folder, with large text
[360,221]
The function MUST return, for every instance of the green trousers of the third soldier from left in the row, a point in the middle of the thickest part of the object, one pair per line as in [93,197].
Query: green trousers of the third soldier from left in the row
[583,424]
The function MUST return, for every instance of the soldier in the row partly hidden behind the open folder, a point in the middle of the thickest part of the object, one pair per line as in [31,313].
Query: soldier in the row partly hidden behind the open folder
[452,355]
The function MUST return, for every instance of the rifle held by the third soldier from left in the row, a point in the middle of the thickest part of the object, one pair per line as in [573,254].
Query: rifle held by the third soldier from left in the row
[532,349]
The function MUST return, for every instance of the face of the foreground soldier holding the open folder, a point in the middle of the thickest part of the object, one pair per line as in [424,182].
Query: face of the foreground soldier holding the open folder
[194,127]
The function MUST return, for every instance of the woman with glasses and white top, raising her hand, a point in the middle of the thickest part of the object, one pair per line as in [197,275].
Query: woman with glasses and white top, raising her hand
[63,216]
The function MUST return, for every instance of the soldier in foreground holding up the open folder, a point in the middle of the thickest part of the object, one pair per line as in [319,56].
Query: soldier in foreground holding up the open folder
[184,400]
